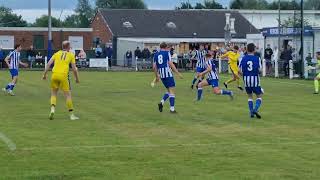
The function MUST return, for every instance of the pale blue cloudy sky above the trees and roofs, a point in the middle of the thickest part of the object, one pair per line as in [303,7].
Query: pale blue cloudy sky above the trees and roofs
[31,9]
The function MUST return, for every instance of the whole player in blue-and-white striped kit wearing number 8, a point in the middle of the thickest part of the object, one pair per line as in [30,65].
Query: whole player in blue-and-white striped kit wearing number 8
[163,67]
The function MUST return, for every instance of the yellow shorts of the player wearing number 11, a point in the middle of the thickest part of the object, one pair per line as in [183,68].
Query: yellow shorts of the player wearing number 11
[60,81]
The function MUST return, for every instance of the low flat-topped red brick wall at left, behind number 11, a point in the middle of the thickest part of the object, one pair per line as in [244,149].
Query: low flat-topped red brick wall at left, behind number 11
[25,38]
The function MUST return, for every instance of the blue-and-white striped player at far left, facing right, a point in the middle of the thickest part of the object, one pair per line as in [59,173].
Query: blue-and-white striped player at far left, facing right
[13,62]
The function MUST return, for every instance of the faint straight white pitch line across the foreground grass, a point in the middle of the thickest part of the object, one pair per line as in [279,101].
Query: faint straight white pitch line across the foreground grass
[165,145]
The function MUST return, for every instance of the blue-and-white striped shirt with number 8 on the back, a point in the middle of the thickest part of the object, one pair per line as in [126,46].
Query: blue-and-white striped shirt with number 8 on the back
[162,59]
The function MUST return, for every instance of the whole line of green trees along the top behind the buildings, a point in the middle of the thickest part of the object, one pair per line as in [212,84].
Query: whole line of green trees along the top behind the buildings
[84,11]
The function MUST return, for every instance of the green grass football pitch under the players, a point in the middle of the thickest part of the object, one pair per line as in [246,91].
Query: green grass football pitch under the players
[121,134]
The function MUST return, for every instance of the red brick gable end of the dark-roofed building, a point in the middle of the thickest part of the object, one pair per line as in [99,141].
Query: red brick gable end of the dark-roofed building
[100,29]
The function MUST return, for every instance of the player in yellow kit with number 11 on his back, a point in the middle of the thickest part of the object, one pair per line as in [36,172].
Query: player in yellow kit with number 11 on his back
[60,77]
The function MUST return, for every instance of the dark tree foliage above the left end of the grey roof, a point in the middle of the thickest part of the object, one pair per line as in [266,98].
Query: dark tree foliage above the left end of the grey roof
[121,4]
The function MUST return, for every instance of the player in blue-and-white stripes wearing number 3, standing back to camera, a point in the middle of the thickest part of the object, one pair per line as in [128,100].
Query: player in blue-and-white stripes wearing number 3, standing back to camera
[250,67]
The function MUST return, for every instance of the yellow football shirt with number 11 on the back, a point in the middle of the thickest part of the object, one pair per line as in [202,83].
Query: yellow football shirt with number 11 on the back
[62,60]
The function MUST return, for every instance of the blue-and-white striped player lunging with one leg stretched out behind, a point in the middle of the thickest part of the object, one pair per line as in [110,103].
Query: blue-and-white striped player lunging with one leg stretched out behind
[212,79]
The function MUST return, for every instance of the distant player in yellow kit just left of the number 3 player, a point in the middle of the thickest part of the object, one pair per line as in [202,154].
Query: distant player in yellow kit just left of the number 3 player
[233,57]
